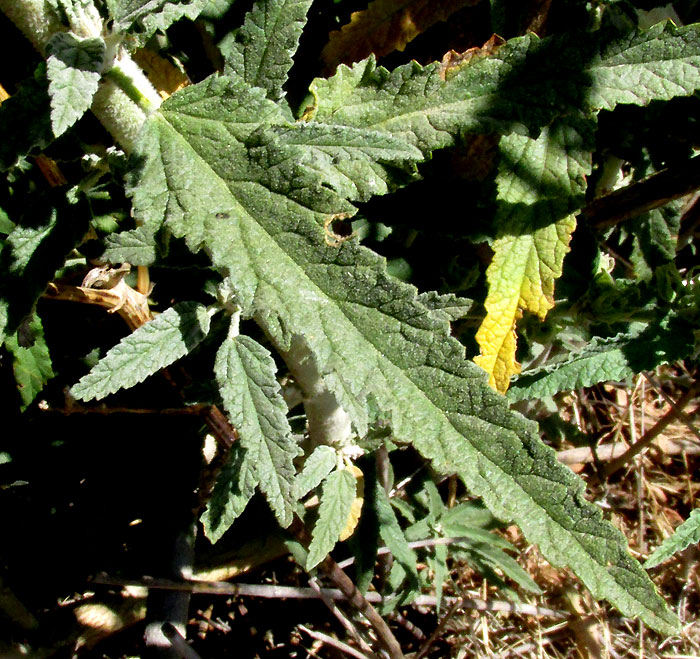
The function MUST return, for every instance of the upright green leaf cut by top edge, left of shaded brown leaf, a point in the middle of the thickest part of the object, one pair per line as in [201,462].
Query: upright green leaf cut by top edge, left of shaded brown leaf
[261,53]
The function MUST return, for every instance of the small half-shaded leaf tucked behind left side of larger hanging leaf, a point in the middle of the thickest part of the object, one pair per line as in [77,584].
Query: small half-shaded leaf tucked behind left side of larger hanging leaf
[235,487]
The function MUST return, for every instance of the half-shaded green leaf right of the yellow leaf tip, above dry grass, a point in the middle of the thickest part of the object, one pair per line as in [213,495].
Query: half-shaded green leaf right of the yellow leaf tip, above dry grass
[610,359]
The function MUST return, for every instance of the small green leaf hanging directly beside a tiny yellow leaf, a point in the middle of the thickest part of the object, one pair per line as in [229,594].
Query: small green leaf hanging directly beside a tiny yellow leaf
[337,496]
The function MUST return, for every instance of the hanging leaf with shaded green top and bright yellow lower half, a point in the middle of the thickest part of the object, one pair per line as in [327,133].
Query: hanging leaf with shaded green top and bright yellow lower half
[540,183]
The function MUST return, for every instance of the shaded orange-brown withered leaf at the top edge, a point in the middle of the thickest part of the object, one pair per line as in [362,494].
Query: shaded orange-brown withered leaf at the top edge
[385,25]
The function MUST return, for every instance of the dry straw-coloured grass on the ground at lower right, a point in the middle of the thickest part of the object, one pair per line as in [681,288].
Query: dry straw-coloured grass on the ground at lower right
[646,500]
